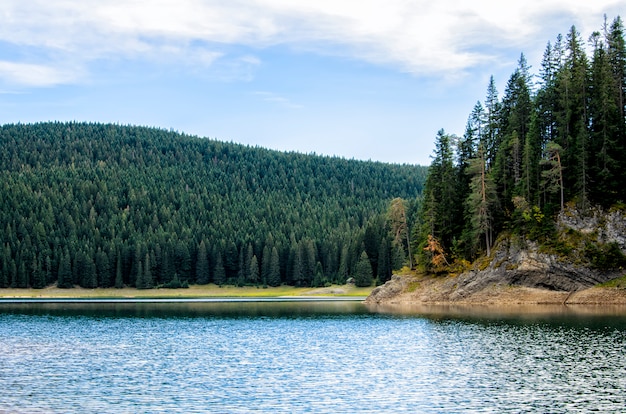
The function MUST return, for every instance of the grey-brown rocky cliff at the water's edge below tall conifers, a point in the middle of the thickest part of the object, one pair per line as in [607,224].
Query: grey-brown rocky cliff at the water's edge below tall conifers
[519,267]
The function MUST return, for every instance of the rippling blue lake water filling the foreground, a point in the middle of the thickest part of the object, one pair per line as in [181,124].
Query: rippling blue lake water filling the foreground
[337,357]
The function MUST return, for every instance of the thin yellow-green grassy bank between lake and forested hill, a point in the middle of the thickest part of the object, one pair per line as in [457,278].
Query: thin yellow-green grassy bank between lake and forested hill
[195,291]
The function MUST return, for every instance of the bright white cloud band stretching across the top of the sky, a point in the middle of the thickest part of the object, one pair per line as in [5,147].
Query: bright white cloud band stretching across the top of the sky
[423,37]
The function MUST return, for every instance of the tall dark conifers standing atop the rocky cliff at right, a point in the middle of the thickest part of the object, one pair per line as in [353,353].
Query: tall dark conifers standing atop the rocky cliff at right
[553,138]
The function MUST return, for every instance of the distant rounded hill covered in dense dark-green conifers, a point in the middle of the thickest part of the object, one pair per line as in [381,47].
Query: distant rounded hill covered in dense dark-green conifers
[108,205]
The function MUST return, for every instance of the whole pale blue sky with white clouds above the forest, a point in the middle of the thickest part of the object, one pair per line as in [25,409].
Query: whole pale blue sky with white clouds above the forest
[368,80]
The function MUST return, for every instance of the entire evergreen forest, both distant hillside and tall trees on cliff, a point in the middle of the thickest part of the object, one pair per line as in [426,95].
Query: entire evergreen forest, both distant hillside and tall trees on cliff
[100,205]
